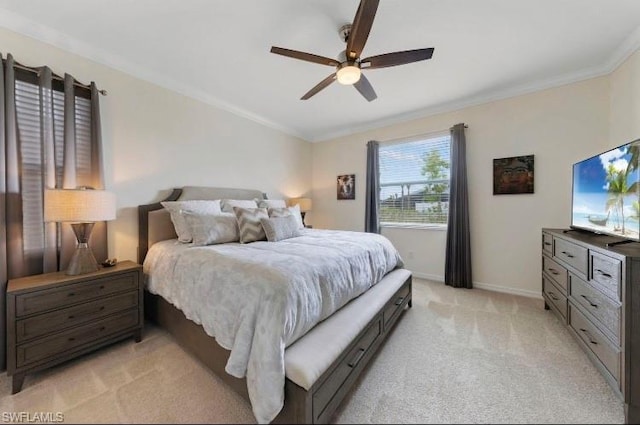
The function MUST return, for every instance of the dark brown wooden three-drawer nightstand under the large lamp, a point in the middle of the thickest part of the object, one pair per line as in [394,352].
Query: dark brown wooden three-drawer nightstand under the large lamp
[53,317]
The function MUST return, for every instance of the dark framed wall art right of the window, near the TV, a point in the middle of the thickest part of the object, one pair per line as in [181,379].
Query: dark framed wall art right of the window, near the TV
[513,175]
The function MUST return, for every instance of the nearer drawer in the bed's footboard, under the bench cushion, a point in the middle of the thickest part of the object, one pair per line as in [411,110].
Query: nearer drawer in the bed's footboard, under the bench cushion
[329,389]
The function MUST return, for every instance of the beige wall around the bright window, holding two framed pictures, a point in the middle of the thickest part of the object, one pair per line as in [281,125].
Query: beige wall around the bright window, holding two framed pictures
[559,126]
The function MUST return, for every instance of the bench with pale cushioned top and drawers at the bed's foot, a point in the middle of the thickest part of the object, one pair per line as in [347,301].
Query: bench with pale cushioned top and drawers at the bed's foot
[327,361]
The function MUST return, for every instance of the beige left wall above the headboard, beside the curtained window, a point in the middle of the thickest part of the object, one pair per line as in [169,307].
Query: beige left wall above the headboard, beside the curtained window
[156,139]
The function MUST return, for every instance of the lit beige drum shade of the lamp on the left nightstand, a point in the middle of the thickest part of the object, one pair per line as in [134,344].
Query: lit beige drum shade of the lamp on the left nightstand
[79,205]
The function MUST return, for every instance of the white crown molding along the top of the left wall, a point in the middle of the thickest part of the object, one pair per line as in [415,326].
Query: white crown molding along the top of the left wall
[46,34]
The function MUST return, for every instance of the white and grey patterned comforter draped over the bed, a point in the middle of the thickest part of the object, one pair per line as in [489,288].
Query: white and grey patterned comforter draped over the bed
[258,298]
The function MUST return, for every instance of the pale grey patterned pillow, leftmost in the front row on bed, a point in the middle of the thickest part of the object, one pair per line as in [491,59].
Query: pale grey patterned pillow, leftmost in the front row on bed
[208,229]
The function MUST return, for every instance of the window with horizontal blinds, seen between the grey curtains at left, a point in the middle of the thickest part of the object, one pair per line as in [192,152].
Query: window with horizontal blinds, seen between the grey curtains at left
[28,111]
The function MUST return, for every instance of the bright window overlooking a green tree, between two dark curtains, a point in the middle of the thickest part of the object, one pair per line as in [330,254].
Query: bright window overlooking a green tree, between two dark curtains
[414,181]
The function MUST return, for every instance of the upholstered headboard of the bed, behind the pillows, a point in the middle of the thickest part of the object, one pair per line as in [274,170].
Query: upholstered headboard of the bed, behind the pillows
[154,222]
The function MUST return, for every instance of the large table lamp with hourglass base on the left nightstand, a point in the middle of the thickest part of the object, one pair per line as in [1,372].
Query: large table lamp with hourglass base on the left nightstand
[81,208]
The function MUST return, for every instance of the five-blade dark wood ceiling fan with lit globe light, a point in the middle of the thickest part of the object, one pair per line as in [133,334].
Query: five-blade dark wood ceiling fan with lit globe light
[349,65]
